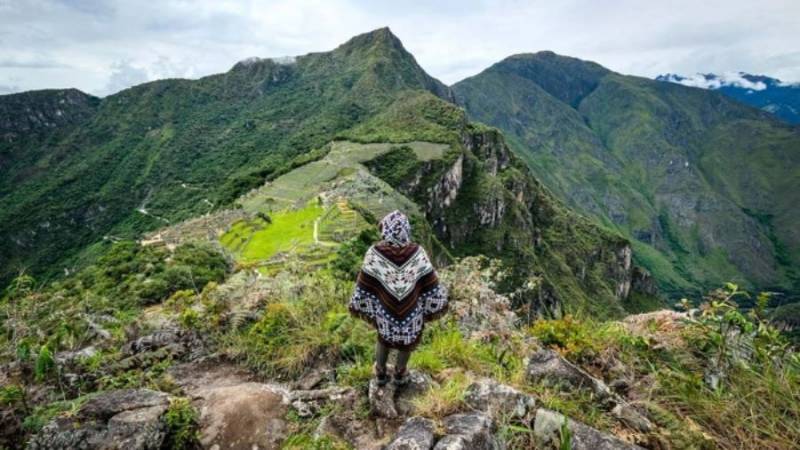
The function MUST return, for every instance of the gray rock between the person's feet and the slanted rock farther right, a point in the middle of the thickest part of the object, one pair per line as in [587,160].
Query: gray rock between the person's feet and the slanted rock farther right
[498,400]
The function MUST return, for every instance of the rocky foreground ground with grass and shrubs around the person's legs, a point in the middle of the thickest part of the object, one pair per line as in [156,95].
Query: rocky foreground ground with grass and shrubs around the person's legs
[481,379]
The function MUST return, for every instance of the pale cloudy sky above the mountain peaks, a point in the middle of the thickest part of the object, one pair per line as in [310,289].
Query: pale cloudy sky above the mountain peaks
[102,47]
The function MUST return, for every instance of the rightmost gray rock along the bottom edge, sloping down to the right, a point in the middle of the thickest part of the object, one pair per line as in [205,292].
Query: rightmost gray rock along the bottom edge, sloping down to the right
[548,424]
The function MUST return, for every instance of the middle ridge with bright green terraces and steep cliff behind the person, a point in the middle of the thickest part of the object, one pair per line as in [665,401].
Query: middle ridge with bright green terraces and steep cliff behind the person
[467,195]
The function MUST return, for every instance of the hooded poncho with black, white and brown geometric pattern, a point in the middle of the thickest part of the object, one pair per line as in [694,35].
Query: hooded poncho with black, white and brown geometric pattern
[397,290]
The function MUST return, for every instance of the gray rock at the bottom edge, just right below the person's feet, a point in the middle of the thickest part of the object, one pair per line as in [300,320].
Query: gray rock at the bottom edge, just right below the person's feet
[472,431]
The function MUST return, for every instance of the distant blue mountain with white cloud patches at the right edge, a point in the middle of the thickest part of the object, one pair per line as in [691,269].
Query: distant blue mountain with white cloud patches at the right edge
[763,92]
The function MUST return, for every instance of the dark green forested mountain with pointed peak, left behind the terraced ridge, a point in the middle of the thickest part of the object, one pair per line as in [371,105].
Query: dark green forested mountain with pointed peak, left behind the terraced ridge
[170,149]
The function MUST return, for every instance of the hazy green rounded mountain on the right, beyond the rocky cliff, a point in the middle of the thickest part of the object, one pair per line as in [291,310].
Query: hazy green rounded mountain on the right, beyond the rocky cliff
[704,184]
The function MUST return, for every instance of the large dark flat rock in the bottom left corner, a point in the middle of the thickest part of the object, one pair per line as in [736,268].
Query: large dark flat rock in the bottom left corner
[127,419]
